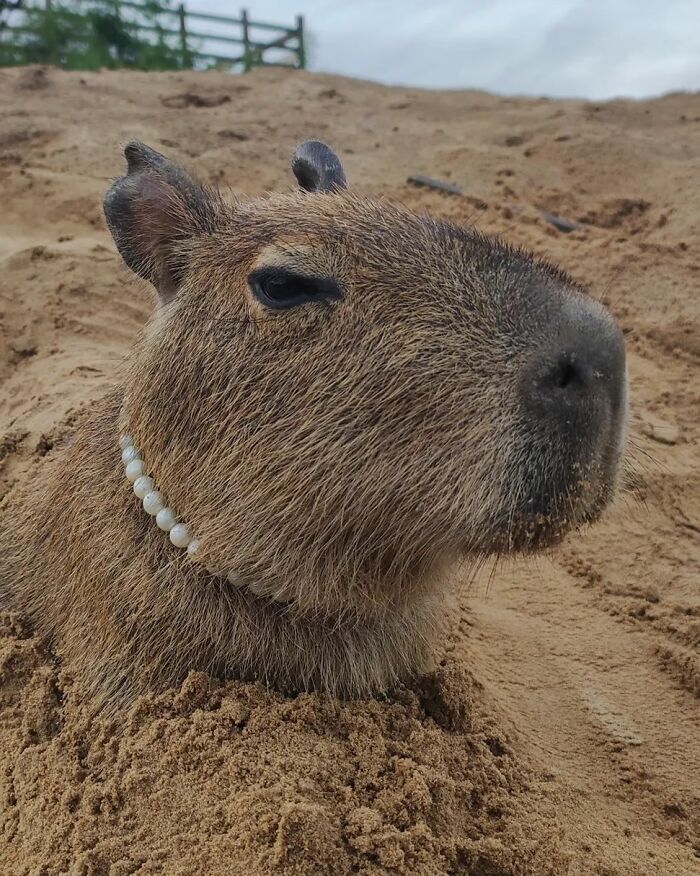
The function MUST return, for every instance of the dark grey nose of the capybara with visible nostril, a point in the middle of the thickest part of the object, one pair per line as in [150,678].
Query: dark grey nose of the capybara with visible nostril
[578,374]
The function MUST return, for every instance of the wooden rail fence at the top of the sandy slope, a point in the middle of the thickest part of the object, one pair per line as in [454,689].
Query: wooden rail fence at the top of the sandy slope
[285,48]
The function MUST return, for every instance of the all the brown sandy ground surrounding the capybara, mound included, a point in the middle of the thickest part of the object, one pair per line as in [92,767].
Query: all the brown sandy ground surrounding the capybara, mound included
[561,732]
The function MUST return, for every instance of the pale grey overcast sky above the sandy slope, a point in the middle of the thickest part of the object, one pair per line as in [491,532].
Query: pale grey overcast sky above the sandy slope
[583,48]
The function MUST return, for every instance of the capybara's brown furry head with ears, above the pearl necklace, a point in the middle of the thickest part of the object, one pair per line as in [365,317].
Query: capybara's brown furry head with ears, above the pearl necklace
[341,397]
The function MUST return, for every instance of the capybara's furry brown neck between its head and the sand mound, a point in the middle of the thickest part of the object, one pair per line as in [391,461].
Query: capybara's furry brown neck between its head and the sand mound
[174,615]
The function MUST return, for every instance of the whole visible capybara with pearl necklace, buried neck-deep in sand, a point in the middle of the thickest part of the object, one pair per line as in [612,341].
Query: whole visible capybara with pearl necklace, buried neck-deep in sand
[334,403]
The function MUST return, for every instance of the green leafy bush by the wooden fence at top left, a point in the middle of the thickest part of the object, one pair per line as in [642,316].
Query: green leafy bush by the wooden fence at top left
[77,35]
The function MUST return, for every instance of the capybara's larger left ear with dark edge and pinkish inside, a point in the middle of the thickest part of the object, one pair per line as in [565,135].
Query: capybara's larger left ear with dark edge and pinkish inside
[153,208]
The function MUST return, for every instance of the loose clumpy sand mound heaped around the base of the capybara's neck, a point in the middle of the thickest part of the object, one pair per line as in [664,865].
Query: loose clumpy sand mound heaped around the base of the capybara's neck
[236,779]
